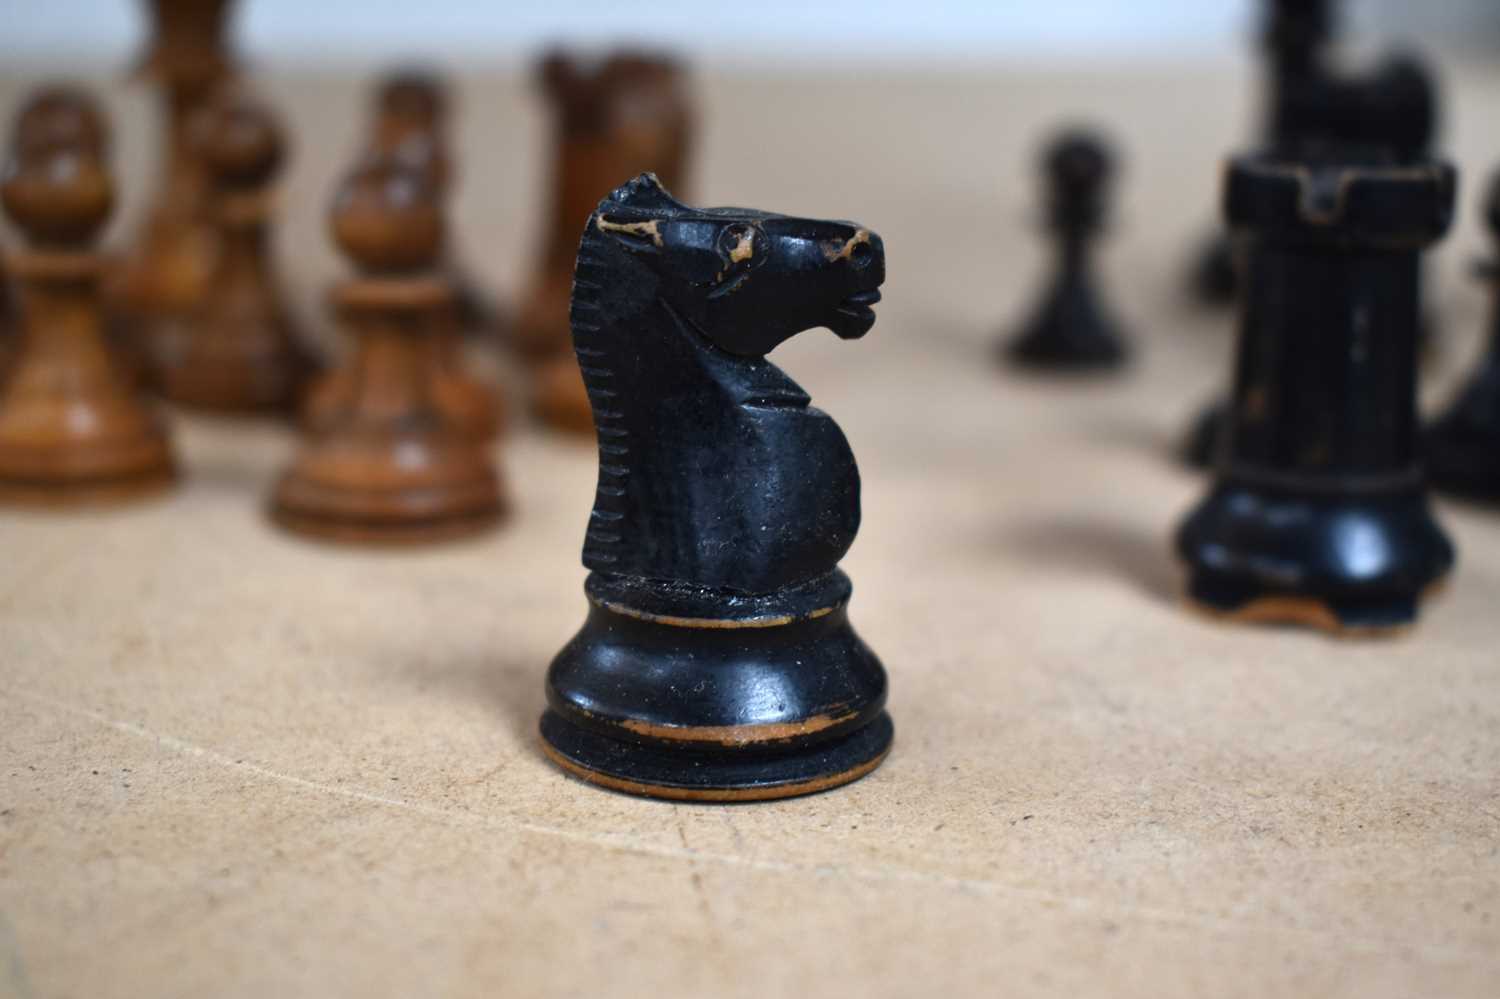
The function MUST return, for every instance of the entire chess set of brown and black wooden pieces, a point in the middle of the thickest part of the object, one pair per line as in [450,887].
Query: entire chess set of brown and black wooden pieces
[718,661]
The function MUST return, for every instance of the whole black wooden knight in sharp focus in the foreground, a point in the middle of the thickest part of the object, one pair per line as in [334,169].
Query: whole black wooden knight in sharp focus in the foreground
[718,661]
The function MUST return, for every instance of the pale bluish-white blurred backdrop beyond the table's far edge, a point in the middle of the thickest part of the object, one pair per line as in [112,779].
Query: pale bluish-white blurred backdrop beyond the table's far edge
[800,32]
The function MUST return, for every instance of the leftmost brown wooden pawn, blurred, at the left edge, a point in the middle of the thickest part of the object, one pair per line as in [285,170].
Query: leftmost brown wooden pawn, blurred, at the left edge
[73,427]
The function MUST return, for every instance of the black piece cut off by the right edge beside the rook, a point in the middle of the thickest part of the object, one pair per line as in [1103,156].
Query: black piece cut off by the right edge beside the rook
[1463,446]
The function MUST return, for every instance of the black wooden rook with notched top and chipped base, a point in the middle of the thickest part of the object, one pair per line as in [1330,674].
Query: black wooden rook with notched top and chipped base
[1319,515]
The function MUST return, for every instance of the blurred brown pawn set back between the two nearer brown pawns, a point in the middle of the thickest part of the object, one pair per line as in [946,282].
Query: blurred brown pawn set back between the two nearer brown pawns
[239,350]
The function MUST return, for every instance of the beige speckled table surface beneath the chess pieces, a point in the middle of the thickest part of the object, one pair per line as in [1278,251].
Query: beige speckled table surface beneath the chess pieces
[236,764]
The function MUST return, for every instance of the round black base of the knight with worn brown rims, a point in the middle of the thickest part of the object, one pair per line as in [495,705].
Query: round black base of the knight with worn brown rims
[763,698]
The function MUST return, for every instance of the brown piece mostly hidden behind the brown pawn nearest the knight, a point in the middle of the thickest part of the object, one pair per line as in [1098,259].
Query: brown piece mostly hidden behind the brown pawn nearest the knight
[407,128]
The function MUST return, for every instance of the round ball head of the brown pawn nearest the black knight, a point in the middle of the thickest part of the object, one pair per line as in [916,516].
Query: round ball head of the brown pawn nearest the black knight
[386,218]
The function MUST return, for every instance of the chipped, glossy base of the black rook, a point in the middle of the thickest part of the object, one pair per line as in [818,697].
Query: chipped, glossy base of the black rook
[1342,565]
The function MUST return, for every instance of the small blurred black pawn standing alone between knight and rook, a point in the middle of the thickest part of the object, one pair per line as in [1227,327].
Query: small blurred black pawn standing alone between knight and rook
[1072,331]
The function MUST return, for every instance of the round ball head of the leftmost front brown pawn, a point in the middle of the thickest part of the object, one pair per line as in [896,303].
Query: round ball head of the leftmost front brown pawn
[59,197]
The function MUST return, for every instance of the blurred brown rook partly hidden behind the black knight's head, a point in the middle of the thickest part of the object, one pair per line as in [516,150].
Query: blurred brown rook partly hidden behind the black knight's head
[613,119]
